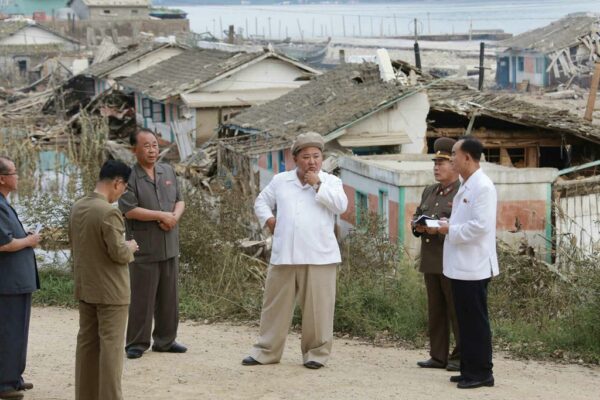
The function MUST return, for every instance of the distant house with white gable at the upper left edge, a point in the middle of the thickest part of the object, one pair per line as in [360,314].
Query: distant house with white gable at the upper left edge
[25,46]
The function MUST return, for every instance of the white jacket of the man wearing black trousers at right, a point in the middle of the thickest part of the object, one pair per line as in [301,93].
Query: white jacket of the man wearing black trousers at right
[470,245]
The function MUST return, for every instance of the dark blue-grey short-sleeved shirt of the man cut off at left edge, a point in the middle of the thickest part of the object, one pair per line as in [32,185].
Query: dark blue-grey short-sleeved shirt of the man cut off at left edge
[18,270]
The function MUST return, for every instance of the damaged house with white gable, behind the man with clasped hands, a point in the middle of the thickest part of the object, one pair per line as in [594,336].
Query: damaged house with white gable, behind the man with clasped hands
[199,89]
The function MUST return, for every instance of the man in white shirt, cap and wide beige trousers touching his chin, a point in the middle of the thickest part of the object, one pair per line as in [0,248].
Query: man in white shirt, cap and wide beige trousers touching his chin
[304,257]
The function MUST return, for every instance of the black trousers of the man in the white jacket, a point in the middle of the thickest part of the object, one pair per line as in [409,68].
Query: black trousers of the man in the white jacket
[470,301]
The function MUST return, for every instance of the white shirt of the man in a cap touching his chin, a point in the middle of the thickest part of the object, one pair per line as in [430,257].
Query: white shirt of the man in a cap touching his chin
[304,233]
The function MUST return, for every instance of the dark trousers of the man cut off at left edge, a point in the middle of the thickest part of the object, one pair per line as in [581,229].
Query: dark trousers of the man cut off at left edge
[15,312]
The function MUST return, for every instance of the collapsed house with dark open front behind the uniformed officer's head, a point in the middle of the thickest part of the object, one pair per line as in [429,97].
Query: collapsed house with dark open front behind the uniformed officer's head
[514,132]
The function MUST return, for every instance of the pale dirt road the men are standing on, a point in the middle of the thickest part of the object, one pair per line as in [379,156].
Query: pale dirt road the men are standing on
[211,370]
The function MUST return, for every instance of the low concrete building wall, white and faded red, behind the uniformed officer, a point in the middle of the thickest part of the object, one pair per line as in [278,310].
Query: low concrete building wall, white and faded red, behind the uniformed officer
[524,198]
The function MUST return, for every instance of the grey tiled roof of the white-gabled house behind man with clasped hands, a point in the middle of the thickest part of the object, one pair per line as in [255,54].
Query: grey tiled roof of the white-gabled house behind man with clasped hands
[185,72]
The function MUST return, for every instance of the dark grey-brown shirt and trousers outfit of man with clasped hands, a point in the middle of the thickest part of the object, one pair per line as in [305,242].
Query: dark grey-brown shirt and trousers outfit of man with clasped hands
[153,273]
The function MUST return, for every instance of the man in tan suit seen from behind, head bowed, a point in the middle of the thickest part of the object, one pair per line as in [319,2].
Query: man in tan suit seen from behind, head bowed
[101,256]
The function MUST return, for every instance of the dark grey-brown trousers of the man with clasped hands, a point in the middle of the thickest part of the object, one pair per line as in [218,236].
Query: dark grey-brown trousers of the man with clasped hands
[154,295]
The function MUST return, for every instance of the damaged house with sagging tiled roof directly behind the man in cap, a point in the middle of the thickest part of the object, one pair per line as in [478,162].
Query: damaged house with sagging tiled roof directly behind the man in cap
[361,108]
